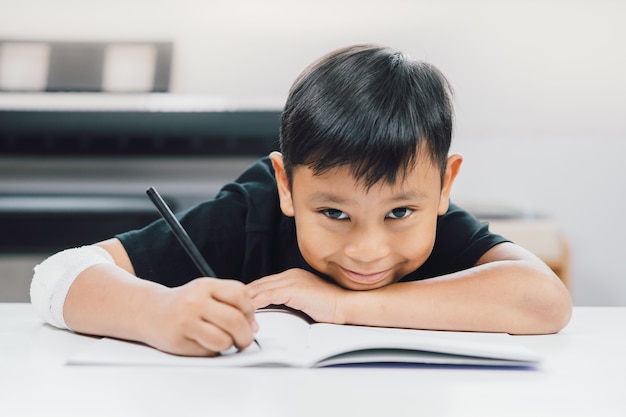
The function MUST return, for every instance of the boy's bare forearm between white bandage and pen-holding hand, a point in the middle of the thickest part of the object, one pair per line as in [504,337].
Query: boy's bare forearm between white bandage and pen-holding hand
[106,300]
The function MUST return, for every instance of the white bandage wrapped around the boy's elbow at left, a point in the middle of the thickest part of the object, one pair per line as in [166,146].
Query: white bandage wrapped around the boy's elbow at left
[54,277]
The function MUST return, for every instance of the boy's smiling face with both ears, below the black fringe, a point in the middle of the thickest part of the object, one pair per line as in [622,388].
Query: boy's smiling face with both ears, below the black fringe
[365,238]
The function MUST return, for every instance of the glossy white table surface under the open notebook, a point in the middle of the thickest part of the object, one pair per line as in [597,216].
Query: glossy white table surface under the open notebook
[583,374]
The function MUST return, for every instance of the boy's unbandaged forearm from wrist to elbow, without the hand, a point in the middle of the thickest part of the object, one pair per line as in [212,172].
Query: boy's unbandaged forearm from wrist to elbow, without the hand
[505,296]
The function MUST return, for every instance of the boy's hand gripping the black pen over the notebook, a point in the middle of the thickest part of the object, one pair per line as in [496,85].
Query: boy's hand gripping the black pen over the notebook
[201,318]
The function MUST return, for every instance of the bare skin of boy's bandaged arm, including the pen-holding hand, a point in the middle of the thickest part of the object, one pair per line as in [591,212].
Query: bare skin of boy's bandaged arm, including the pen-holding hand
[203,317]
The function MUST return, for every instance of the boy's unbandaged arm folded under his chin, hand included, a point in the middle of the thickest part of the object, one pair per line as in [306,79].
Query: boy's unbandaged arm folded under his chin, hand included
[509,290]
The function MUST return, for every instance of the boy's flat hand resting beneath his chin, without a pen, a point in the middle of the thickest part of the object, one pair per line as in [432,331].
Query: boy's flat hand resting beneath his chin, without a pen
[301,290]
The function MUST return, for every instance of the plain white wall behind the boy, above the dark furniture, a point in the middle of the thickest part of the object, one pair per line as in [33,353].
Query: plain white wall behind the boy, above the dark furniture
[540,88]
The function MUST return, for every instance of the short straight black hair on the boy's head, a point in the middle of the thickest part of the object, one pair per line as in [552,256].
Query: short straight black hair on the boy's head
[368,107]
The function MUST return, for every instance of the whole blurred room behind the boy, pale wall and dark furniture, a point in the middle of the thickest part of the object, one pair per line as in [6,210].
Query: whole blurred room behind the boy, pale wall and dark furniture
[186,93]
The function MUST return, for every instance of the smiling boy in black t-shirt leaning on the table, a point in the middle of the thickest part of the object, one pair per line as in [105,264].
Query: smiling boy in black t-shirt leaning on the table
[350,223]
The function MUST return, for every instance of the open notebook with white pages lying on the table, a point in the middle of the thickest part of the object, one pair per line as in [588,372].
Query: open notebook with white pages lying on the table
[287,339]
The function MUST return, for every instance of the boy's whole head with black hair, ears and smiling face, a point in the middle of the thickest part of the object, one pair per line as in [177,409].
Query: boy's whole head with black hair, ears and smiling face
[364,168]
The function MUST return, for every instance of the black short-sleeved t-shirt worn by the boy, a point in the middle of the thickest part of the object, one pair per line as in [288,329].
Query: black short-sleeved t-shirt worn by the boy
[243,235]
